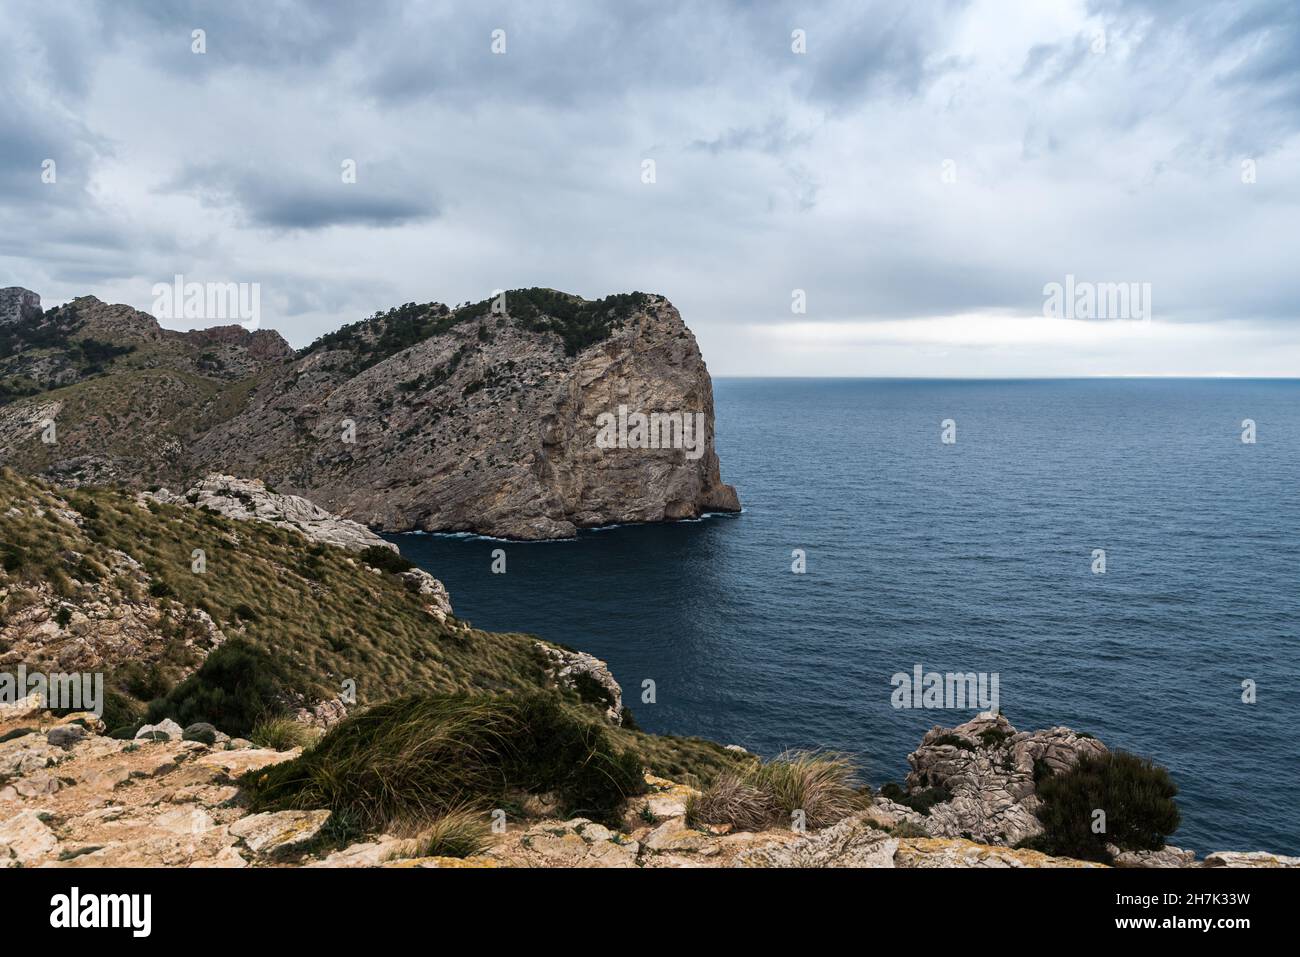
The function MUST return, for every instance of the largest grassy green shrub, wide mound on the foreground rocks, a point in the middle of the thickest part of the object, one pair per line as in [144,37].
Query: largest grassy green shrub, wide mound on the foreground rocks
[424,756]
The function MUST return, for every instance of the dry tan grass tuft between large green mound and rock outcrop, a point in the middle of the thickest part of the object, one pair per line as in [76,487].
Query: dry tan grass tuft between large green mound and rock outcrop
[822,786]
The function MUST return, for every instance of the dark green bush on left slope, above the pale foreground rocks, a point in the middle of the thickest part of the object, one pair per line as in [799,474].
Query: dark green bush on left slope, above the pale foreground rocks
[237,687]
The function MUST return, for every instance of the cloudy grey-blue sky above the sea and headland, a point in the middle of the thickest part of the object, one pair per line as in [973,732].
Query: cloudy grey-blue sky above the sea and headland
[839,189]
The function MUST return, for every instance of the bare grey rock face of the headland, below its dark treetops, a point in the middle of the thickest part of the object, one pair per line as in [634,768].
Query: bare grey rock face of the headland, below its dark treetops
[488,427]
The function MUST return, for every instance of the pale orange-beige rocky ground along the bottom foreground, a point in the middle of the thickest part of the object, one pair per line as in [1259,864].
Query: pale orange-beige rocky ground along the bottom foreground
[72,798]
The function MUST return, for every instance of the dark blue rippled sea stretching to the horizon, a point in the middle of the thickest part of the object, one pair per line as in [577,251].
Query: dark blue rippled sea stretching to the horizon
[968,557]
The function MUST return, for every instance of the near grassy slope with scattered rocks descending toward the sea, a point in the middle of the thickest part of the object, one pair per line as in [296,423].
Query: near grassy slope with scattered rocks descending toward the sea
[106,581]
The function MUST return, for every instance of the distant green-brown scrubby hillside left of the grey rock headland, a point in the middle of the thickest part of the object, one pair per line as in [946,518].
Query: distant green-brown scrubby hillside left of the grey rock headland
[124,396]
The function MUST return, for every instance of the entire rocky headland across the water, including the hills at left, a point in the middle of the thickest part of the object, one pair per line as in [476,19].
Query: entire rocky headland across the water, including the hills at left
[484,418]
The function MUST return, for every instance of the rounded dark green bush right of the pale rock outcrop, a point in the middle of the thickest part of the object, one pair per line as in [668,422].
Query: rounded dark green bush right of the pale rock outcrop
[1136,794]
